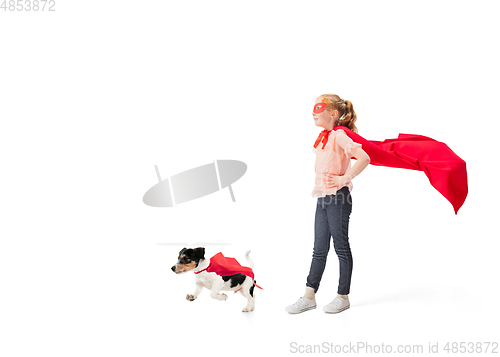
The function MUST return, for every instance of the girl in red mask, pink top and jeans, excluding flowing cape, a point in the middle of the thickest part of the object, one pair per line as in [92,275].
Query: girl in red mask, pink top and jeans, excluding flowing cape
[334,174]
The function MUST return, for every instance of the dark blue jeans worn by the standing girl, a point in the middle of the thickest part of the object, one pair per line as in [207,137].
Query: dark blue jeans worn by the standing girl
[332,220]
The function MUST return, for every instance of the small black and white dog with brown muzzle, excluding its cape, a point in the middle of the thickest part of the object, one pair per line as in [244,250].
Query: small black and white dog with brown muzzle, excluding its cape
[194,260]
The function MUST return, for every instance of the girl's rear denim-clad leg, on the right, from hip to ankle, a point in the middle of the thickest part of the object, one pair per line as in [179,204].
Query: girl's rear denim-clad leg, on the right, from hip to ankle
[338,219]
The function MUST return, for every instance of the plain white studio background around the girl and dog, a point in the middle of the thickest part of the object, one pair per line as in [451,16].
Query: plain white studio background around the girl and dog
[96,93]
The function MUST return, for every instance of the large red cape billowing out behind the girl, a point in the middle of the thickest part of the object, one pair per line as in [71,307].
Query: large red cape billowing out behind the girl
[446,171]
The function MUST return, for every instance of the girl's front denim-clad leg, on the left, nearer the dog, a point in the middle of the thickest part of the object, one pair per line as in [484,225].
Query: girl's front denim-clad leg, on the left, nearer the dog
[321,244]
